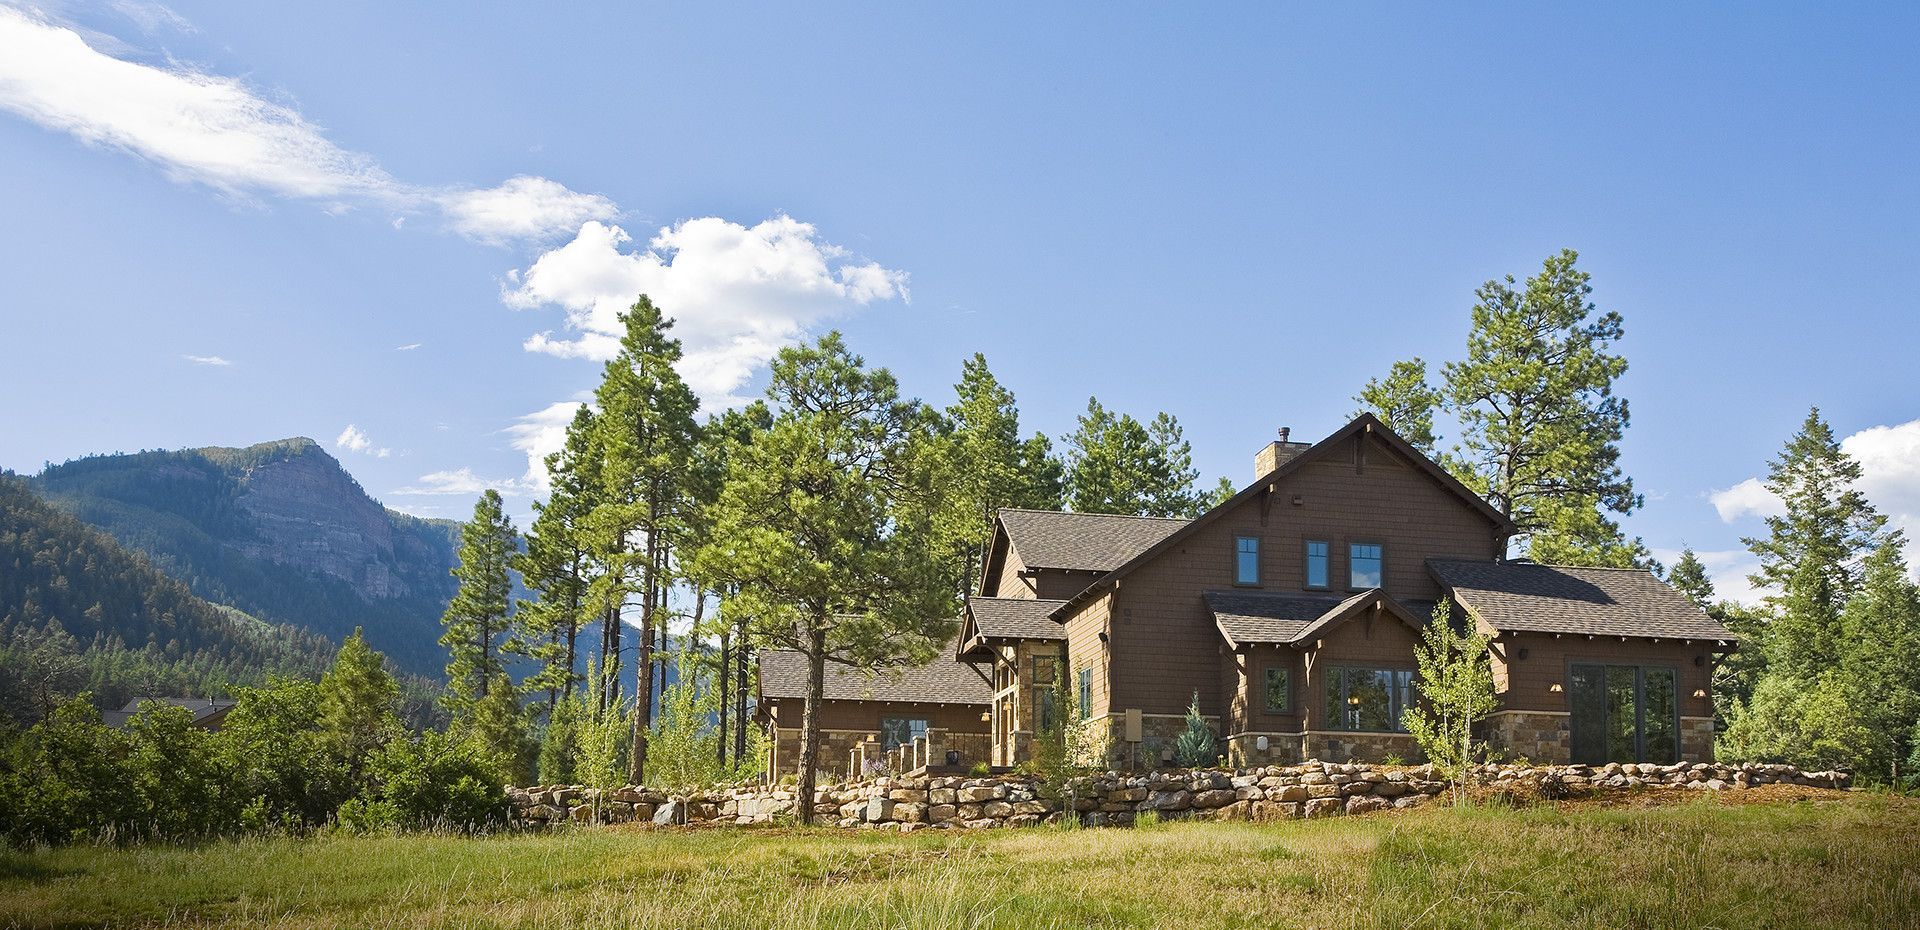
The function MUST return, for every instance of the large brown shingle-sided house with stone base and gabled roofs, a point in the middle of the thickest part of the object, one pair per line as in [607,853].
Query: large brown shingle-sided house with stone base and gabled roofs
[1291,614]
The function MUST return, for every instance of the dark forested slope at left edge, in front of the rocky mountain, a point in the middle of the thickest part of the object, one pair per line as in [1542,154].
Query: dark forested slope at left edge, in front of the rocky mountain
[78,612]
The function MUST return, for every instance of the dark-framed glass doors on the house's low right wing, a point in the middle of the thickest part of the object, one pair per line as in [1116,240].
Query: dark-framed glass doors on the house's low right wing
[1625,714]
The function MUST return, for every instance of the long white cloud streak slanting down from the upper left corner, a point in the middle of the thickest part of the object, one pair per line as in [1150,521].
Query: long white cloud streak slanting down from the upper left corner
[216,132]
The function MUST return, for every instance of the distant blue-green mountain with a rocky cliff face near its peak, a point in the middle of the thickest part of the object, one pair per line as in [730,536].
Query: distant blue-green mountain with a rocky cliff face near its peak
[279,531]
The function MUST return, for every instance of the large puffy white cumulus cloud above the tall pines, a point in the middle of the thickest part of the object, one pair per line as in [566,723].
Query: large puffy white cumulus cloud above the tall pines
[738,295]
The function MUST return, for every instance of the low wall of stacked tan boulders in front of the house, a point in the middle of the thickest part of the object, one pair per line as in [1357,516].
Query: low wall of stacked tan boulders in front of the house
[1272,793]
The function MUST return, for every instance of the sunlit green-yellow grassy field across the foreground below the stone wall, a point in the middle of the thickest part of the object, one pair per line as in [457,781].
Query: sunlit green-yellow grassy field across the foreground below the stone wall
[1848,862]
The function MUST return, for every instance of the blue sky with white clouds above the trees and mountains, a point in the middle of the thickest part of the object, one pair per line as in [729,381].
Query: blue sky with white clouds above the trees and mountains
[1234,216]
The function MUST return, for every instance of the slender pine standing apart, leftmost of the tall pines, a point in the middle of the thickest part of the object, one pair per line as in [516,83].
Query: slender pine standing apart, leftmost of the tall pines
[481,610]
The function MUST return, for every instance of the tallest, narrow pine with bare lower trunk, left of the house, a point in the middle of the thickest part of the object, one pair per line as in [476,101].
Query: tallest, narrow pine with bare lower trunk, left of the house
[648,483]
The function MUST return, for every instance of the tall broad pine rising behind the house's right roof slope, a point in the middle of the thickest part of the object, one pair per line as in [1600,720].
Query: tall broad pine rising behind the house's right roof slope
[1541,424]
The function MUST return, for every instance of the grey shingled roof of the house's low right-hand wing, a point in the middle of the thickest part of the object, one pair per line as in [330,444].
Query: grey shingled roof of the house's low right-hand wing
[1524,597]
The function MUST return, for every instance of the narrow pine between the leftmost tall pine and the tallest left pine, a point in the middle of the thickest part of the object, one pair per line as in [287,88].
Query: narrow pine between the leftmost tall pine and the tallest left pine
[558,566]
